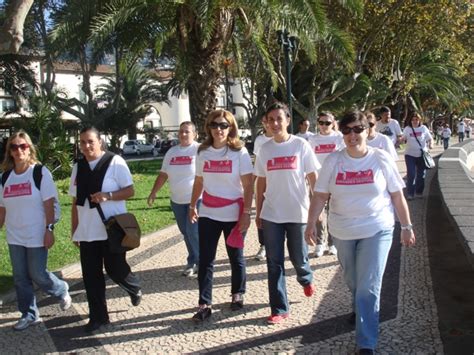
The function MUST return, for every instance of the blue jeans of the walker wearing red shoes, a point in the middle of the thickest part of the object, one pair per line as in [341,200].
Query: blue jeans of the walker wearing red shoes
[274,234]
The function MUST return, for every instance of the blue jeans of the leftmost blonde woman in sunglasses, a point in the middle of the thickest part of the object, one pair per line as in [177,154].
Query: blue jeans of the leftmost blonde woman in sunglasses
[29,265]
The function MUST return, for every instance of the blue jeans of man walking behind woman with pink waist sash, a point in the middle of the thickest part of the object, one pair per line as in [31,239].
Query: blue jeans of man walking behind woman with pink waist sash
[189,231]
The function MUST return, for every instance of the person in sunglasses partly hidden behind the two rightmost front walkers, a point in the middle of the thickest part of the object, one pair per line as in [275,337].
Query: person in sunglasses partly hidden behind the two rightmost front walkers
[327,140]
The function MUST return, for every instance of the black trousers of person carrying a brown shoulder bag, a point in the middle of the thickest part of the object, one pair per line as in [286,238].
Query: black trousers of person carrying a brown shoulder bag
[94,256]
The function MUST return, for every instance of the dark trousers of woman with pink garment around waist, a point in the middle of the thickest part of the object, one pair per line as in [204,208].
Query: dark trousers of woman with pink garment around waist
[209,234]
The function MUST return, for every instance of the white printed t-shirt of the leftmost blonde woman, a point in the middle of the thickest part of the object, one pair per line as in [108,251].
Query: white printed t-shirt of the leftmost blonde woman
[25,220]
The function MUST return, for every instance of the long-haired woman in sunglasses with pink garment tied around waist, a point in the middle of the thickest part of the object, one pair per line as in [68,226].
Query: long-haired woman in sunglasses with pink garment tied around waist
[224,179]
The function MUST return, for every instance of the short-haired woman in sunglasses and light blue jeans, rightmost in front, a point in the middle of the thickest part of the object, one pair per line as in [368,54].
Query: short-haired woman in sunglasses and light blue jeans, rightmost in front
[365,188]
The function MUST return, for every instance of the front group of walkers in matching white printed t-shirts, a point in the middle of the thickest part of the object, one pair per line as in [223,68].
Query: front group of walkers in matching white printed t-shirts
[212,185]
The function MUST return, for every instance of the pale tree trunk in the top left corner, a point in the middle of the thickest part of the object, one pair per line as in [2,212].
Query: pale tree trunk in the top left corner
[11,34]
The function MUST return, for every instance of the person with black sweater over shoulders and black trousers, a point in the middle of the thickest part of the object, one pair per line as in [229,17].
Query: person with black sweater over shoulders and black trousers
[100,179]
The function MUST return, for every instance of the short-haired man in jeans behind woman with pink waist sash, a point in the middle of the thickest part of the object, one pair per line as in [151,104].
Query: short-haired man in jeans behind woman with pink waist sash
[179,168]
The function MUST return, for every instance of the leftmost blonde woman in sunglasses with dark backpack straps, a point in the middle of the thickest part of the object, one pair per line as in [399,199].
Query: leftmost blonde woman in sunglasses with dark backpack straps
[28,214]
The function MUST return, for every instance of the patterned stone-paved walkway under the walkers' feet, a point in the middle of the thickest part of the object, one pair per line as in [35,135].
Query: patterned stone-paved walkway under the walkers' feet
[161,323]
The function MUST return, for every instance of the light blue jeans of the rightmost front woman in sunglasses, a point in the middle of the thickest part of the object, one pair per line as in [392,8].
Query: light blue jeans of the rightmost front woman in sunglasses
[363,264]
